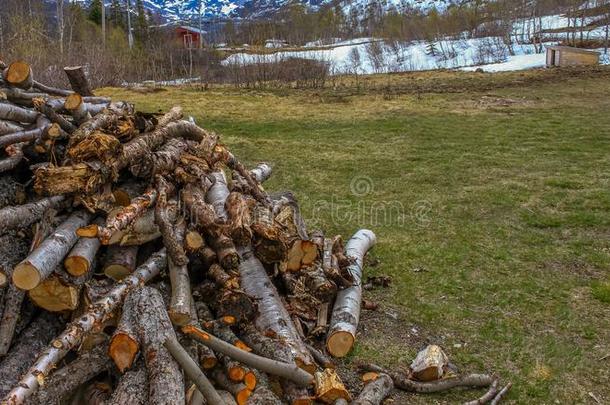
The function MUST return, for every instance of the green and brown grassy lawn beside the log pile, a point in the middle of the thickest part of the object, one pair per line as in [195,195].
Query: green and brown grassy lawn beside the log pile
[490,196]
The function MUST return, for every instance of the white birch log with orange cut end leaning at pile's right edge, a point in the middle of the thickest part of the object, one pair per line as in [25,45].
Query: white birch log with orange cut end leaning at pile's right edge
[346,311]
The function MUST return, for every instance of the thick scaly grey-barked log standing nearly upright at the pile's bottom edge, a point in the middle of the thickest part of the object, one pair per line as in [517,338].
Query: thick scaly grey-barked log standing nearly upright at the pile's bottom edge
[166,385]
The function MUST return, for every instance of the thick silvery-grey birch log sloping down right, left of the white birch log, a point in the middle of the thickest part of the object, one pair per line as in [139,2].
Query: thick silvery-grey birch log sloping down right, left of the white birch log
[273,316]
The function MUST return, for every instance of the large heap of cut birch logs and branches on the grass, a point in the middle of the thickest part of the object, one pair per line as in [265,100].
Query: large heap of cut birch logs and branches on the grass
[141,262]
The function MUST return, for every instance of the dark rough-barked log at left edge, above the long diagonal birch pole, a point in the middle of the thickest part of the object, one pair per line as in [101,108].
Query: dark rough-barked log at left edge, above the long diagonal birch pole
[30,342]
